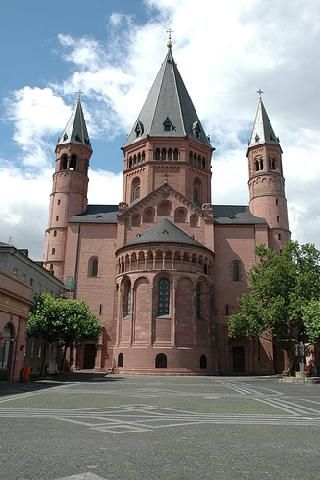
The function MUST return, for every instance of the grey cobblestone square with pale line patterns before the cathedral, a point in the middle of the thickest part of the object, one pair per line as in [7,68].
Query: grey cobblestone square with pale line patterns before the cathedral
[92,427]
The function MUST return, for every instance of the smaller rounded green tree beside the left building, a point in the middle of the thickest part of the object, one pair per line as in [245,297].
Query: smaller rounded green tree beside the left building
[61,320]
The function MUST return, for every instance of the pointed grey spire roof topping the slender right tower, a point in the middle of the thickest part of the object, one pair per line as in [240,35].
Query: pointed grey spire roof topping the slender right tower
[262,131]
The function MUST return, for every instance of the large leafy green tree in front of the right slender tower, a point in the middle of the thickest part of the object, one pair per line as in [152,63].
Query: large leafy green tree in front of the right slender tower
[280,287]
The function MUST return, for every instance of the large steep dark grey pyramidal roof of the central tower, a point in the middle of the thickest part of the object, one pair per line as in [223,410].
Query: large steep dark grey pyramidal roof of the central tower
[168,101]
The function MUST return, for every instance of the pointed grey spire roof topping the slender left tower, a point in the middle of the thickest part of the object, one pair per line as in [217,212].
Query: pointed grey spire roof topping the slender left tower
[76,130]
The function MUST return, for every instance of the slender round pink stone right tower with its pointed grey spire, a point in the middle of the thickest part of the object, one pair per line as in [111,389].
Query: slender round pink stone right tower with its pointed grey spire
[266,181]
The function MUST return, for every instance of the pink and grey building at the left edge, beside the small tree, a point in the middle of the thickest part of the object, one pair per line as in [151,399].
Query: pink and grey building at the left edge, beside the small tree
[21,279]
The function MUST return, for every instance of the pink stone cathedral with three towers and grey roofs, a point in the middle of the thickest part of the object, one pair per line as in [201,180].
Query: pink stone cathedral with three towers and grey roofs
[163,270]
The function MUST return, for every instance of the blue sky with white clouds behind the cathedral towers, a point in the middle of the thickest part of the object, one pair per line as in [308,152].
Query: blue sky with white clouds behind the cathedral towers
[111,50]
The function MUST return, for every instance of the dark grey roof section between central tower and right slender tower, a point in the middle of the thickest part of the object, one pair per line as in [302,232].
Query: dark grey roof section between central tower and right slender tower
[235,214]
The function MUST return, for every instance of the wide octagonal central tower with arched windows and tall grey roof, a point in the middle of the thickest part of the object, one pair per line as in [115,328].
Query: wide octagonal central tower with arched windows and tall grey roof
[167,142]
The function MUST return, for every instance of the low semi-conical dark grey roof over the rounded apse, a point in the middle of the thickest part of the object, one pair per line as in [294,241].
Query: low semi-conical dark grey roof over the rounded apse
[164,231]
